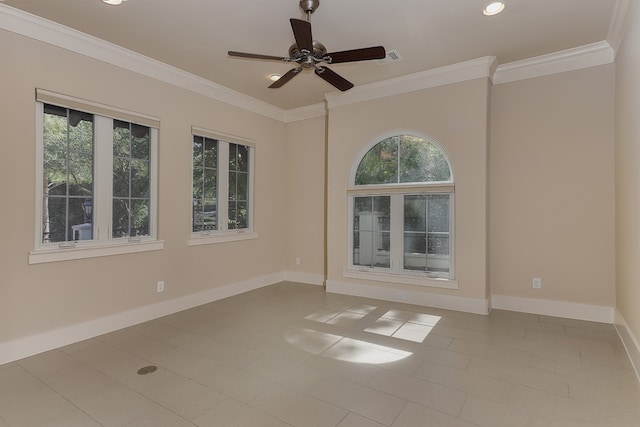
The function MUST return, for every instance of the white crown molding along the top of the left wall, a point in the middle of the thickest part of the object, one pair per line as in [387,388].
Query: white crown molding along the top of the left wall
[34,27]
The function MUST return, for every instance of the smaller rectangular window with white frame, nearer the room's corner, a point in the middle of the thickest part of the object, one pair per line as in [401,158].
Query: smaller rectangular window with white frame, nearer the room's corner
[222,190]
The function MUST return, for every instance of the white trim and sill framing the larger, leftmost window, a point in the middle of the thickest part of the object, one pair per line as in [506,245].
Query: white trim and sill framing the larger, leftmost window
[64,251]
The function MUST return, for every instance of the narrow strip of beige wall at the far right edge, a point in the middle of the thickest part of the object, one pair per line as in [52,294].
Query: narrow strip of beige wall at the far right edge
[628,175]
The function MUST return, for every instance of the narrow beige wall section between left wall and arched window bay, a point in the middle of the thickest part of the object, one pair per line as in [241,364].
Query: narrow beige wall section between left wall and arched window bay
[305,200]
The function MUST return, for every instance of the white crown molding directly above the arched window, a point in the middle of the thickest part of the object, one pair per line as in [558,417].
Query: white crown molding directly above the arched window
[455,73]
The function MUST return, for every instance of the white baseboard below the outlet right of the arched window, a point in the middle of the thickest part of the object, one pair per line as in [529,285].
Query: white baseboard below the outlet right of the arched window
[568,310]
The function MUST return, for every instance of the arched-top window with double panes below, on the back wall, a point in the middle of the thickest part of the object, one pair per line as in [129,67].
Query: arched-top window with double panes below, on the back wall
[401,203]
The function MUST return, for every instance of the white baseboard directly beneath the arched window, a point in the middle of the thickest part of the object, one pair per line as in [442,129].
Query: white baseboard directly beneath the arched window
[427,299]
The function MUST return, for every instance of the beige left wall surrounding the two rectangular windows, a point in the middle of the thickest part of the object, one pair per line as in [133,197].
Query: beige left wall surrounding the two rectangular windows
[35,299]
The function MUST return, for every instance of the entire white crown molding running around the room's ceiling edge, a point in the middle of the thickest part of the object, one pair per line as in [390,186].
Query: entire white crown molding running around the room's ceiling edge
[49,32]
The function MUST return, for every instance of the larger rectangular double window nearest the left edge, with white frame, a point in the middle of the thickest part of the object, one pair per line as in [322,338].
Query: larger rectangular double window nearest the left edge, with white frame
[96,184]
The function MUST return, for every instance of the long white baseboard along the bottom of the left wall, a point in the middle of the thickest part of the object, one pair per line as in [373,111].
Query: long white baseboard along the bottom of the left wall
[34,344]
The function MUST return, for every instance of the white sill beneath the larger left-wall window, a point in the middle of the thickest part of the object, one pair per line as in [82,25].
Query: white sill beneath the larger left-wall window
[93,250]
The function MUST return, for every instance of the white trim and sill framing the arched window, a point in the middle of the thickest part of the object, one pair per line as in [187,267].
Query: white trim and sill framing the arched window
[396,273]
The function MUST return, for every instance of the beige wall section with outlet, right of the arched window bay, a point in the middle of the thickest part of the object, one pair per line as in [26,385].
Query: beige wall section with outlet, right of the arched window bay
[552,187]
